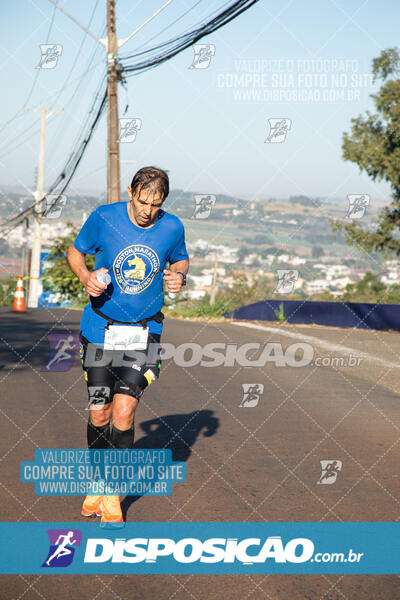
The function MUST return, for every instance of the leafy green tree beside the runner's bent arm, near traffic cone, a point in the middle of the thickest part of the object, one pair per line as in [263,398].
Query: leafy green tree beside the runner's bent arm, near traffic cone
[58,276]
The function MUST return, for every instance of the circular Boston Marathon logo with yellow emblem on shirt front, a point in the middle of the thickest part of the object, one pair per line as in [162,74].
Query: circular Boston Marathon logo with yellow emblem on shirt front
[135,268]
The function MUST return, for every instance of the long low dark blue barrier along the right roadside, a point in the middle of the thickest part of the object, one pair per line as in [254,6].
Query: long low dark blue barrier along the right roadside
[334,314]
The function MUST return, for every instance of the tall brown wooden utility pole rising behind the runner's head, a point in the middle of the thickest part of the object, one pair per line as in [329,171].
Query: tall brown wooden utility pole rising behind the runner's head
[113,171]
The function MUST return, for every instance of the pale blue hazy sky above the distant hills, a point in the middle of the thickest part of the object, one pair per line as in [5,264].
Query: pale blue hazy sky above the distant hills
[208,127]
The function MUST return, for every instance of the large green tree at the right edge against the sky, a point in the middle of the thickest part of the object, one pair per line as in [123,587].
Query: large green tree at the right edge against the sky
[374,145]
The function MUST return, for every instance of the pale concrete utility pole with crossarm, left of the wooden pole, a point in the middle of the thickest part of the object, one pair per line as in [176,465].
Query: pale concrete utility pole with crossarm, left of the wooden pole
[34,274]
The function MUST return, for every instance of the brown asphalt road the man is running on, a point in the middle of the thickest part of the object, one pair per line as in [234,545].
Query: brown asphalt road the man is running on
[244,463]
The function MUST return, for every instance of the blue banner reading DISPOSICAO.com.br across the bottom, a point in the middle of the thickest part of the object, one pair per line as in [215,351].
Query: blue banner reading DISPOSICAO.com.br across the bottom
[217,548]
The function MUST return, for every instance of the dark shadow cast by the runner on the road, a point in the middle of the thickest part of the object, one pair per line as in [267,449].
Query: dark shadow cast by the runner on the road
[177,432]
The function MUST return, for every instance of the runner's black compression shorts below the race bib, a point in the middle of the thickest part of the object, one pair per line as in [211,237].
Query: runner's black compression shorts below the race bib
[109,372]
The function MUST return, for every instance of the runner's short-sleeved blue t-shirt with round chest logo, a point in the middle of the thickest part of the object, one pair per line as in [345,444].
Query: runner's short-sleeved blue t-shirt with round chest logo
[135,258]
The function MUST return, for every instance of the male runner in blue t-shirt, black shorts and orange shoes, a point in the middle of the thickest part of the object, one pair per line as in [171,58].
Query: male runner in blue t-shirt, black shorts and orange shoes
[133,241]
